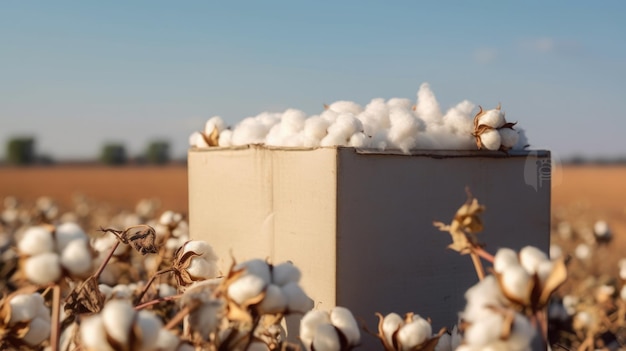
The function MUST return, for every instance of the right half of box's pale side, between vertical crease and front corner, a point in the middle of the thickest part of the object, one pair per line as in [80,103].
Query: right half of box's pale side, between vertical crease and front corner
[304,203]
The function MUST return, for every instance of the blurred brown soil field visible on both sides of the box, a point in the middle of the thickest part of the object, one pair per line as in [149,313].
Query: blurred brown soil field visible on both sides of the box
[599,191]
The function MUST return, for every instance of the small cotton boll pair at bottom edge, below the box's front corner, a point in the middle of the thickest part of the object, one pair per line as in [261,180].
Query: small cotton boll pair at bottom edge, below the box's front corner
[334,330]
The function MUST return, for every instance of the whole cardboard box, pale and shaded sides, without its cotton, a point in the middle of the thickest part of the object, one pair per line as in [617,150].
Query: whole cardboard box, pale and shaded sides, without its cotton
[358,223]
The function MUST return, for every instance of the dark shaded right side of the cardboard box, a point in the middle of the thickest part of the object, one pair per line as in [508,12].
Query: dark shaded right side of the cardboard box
[392,259]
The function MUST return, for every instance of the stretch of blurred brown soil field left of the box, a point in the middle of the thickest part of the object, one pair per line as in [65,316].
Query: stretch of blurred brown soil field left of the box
[119,187]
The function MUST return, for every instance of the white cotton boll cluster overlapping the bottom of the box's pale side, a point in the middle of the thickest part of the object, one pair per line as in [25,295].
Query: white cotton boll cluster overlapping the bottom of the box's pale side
[270,289]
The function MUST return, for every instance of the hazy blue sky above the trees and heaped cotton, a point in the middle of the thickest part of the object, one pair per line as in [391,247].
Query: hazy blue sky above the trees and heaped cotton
[77,74]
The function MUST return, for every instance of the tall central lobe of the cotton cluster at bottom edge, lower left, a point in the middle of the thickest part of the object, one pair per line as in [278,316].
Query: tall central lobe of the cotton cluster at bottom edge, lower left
[118,317]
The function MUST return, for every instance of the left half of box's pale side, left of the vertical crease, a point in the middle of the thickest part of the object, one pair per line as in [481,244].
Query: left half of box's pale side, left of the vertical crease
[230,203]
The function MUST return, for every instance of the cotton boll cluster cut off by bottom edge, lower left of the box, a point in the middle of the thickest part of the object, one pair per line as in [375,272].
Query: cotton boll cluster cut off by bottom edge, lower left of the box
[119,326]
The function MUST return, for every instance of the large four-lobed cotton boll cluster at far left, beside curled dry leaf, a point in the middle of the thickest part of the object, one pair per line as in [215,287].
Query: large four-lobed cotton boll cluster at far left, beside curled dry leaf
[48,251]
